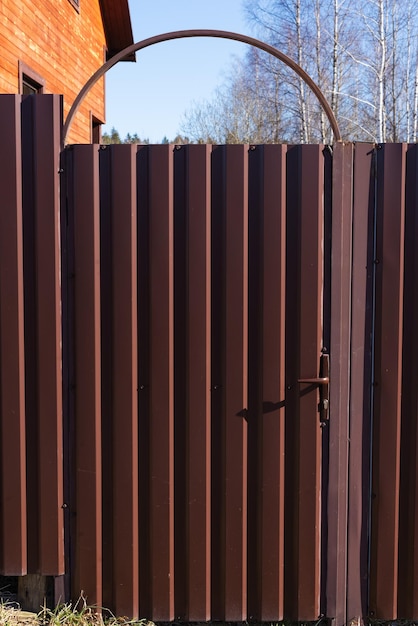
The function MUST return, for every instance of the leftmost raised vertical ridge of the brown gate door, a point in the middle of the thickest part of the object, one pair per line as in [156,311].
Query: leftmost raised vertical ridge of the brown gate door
[87,356]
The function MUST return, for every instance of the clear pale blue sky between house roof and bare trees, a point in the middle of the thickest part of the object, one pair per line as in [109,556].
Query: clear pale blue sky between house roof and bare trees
[150,96]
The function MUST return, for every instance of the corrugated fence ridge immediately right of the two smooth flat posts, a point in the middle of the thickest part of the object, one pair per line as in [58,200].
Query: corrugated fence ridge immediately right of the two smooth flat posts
[389,264]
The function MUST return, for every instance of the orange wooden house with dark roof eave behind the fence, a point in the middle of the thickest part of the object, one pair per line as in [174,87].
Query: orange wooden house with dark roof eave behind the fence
[54,46]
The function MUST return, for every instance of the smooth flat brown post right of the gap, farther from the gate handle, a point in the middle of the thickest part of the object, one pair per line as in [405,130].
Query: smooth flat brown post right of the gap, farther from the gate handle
[360,407]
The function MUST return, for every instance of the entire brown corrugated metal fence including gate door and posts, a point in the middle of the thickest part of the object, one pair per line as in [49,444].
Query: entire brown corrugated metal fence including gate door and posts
[160,310]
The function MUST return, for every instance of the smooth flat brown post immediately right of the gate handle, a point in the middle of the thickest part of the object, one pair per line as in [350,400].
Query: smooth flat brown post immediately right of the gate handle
[341,263]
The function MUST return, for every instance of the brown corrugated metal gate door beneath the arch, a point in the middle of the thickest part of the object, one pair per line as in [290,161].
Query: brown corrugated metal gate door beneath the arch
[190,251]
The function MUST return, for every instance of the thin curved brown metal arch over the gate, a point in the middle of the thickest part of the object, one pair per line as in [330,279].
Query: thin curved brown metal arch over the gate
[219,34]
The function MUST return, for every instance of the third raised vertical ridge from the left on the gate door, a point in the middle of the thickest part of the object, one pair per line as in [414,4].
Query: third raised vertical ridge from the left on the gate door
[161,381]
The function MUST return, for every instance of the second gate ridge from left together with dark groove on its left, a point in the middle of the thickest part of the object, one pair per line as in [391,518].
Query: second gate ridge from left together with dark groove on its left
[119,359]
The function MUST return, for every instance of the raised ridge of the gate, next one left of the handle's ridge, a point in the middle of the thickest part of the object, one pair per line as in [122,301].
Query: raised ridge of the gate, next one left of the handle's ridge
[273,443]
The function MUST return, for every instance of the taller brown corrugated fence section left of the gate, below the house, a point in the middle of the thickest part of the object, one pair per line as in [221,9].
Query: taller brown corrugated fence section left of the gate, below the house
[30,334]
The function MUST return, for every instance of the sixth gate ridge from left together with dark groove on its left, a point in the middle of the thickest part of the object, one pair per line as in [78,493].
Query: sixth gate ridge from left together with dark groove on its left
[267,229]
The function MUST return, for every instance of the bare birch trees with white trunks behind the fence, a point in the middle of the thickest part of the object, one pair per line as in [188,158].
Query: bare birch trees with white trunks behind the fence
[363,54]
